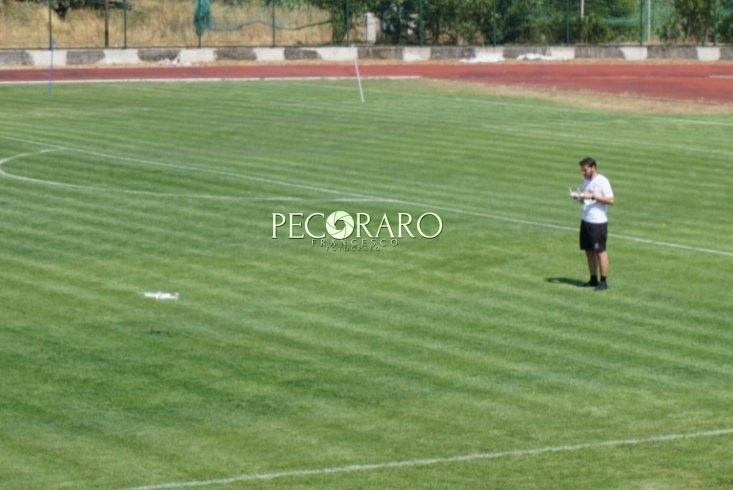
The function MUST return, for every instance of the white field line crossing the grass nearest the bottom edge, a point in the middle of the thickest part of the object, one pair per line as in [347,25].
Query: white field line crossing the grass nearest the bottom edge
[356,468]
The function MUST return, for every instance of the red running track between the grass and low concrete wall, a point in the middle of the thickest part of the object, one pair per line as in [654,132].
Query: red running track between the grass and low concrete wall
[702,82]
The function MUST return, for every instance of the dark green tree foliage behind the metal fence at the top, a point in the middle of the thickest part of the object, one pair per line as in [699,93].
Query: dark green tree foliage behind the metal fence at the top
[500,21]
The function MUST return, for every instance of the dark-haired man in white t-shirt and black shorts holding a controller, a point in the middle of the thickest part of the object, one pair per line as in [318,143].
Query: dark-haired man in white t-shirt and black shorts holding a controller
[595,196]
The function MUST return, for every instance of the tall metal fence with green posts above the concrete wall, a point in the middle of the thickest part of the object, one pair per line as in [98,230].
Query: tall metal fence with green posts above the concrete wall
[171,23]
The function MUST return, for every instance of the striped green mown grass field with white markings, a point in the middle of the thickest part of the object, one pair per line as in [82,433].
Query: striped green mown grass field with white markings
[470,360]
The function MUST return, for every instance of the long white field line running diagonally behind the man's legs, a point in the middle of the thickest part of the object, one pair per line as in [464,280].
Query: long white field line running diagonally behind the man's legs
[357,196]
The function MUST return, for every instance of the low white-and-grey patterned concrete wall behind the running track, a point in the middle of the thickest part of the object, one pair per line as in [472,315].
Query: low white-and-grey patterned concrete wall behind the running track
[101,57]
